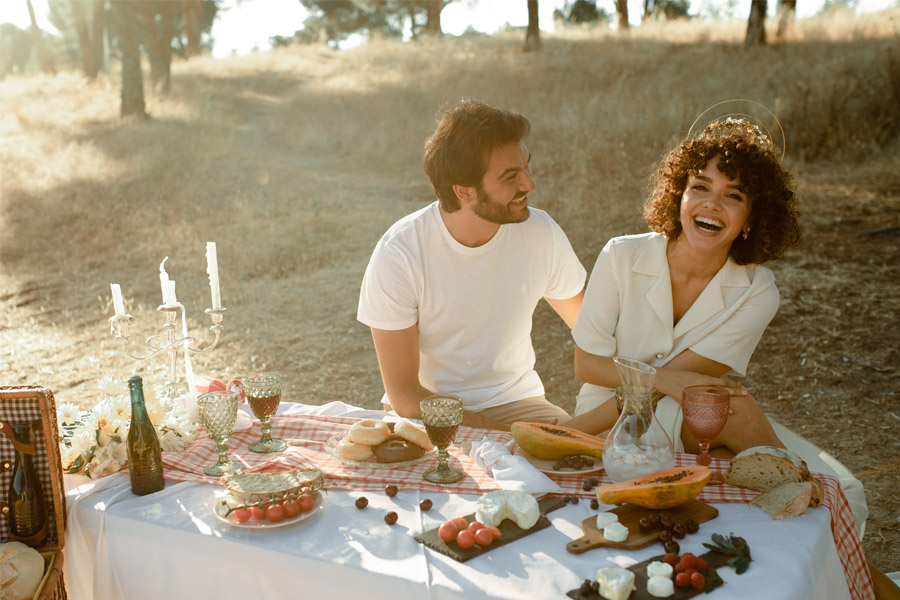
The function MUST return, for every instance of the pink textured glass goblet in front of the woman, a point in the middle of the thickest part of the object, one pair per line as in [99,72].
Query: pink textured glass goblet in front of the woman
[705,409]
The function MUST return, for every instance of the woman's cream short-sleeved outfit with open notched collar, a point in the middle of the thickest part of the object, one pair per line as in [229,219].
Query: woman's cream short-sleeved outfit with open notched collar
[627,311]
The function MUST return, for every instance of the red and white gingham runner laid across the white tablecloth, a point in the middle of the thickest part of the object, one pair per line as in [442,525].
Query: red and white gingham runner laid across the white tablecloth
[306,436]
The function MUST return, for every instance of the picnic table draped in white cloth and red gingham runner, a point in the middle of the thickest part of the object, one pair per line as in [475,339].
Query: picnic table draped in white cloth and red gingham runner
[171,544]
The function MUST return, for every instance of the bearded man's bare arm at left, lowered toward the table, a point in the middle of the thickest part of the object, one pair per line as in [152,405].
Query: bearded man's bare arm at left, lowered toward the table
[398,359]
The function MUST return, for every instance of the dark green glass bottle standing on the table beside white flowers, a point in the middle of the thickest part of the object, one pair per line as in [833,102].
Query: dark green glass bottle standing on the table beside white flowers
[144,454]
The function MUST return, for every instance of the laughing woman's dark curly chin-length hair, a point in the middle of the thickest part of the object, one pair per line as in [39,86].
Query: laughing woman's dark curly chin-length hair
[745,154]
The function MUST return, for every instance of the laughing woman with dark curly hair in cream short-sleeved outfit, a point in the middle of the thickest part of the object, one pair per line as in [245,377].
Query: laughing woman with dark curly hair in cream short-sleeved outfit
[691,298]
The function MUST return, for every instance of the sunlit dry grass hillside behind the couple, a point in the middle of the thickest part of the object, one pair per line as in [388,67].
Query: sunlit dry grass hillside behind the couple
[296,161]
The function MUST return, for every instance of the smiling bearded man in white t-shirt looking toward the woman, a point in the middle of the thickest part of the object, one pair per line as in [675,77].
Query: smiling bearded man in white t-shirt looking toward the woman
[451,289]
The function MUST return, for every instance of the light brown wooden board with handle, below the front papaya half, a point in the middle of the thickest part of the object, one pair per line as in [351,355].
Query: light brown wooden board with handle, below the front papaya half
[630,515]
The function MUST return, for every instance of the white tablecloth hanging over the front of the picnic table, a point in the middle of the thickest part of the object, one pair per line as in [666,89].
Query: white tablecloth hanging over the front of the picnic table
[170,545]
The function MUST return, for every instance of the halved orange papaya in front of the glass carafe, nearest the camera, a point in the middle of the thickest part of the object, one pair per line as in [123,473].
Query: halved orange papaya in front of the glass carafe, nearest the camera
[660,489]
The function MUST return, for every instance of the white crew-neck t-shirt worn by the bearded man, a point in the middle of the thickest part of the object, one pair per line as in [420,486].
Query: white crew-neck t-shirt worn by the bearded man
[473,306]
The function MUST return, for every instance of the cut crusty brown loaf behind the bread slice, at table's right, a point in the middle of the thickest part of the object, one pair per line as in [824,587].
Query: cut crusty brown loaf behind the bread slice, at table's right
[763,468]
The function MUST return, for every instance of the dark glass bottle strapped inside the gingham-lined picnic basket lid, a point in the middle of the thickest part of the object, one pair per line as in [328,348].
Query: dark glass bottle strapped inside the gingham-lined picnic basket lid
[27,515]
